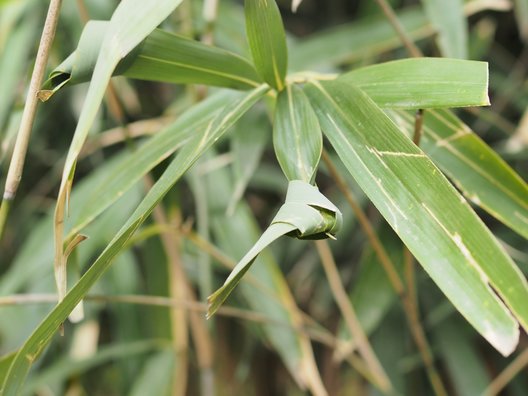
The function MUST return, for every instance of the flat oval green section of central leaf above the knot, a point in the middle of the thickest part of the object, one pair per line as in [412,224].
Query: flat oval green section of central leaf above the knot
[297,137]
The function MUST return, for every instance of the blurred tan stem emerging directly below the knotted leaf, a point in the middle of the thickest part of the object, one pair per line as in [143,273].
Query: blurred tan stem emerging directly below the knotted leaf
[346,308]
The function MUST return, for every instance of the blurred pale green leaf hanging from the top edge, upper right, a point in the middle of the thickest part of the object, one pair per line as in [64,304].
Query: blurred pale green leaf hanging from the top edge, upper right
[447,16]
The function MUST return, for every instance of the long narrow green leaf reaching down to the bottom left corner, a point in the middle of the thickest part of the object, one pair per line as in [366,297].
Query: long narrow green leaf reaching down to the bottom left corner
[201,141]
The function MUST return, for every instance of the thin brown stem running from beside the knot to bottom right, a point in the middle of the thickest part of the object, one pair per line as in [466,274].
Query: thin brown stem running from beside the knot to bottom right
[411,314]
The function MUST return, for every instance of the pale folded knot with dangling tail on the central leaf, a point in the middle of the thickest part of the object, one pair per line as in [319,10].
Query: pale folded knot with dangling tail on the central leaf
[305,214]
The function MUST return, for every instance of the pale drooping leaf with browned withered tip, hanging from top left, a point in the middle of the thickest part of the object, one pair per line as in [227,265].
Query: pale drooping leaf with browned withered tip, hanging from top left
[131,22]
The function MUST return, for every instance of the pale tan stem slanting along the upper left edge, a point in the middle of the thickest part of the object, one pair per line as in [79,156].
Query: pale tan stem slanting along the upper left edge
[14,174]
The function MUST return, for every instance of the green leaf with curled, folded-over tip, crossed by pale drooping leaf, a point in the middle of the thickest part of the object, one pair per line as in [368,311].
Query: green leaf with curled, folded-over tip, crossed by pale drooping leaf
[162,56]
